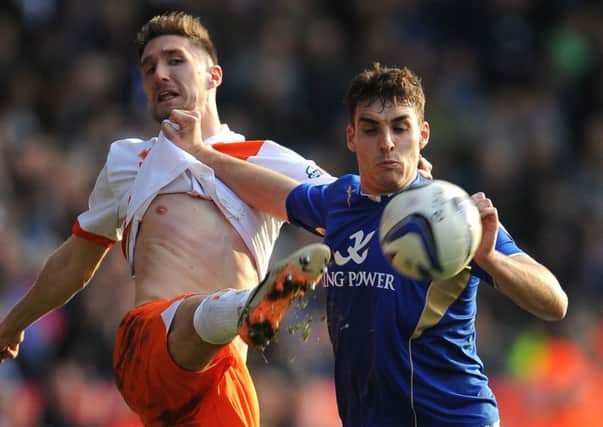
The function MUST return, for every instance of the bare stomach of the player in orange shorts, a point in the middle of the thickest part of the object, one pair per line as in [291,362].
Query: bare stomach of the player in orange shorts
[186,245]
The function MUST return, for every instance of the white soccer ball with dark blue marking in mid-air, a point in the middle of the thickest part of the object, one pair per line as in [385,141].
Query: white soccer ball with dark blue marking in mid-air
[430,232]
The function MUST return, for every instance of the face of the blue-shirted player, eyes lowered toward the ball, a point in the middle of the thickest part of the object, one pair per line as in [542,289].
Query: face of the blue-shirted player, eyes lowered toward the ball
[387,141]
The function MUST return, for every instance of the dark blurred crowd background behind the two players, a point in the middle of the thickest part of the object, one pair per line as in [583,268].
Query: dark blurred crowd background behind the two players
[515,101]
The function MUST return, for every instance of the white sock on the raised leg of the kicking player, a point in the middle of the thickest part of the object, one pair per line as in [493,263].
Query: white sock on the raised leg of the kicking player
[217,316]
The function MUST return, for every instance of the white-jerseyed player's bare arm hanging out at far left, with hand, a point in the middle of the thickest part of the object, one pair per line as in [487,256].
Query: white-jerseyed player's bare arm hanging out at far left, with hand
[65,273]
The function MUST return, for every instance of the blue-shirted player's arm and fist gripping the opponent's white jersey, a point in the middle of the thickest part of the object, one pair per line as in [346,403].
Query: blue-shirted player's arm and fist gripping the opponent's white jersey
[261,188]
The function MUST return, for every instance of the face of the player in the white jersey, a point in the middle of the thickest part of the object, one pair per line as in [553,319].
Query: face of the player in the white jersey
[175,75]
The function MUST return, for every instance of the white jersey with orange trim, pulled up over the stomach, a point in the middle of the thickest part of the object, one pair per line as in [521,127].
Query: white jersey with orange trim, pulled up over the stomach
[137,171]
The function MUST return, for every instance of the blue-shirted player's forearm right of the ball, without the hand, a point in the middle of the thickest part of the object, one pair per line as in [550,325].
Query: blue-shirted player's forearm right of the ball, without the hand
[528,284]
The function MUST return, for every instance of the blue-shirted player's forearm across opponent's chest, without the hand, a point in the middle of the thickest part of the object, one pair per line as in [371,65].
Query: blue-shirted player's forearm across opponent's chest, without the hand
[261,188]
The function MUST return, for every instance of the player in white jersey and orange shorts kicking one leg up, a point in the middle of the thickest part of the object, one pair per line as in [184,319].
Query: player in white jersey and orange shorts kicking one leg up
[197,252]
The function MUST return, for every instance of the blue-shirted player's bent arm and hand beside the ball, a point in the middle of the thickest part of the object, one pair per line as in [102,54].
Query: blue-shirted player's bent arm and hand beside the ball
[525,281]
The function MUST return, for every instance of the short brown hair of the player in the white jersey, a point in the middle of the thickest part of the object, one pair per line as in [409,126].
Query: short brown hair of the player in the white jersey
[179,24]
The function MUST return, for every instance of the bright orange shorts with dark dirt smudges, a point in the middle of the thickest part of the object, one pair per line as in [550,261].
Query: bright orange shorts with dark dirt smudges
[162,393]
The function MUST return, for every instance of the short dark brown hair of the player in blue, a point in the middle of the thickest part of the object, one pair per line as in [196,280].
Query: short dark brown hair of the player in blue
[400,86]
